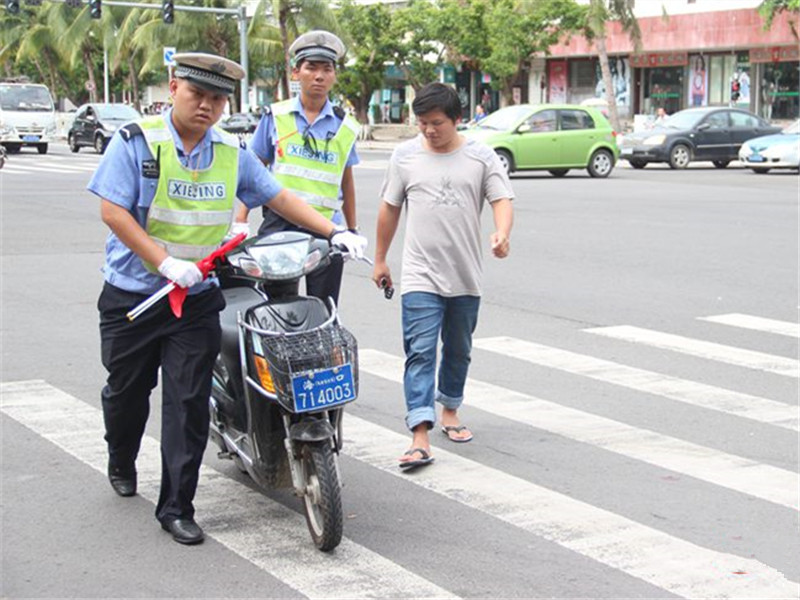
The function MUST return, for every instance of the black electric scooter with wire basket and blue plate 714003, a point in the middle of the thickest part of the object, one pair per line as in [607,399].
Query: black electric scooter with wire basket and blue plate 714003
[285,372]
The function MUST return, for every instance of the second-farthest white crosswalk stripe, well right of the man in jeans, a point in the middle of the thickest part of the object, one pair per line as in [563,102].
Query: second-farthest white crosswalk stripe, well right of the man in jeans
[740,357]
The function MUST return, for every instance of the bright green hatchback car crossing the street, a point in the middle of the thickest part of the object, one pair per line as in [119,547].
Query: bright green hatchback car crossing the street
[549,137]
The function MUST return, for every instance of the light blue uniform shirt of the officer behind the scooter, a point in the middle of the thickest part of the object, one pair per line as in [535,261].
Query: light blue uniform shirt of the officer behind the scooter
[326,124]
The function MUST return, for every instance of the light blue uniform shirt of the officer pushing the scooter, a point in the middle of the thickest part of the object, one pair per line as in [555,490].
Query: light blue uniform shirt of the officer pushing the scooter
[119,179]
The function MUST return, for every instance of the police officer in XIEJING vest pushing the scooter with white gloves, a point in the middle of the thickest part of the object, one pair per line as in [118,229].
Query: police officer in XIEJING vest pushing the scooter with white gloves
[167,185]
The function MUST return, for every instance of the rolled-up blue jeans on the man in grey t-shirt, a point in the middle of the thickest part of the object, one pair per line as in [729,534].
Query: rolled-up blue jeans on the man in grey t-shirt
[425,315]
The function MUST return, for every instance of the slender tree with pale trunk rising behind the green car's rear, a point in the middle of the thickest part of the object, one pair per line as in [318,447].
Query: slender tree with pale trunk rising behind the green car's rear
[600,12]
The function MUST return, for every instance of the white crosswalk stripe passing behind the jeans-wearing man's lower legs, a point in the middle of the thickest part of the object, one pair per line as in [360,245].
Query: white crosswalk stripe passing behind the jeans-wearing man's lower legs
[726,470]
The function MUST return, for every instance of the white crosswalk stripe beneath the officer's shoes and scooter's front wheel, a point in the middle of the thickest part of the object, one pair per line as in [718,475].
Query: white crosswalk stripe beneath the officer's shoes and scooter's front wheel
[266,533]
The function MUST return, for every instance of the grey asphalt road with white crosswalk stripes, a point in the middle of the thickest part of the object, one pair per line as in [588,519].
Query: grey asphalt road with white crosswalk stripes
[633,395]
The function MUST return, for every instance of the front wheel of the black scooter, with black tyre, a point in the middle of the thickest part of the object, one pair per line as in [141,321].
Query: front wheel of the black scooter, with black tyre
[322,498]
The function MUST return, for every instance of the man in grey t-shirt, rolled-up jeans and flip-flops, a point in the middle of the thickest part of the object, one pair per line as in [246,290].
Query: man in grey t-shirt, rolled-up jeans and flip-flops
[443,180]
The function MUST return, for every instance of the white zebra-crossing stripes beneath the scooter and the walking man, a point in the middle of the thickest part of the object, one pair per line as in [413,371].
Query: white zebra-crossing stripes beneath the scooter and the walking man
[276,541]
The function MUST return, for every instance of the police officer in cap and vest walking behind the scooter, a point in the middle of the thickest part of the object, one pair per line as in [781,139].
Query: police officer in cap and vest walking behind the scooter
[309,145]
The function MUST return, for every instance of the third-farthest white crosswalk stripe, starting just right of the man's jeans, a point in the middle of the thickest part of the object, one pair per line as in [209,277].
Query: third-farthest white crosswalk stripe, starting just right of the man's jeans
[690,392]
